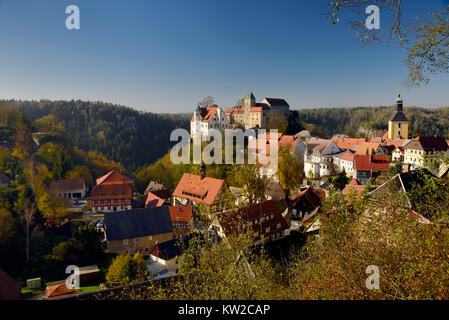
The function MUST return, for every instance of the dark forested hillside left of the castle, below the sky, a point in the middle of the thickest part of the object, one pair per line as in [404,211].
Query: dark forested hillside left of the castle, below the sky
[122,134]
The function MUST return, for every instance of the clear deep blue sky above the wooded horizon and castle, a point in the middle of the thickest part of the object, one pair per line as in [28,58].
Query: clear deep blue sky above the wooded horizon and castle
[164,56]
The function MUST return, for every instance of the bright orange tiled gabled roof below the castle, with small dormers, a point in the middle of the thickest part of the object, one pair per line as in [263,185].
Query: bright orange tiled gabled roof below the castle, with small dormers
[193,188]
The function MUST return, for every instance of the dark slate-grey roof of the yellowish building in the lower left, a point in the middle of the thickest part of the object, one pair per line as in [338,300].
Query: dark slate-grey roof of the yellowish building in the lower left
[137,223]
